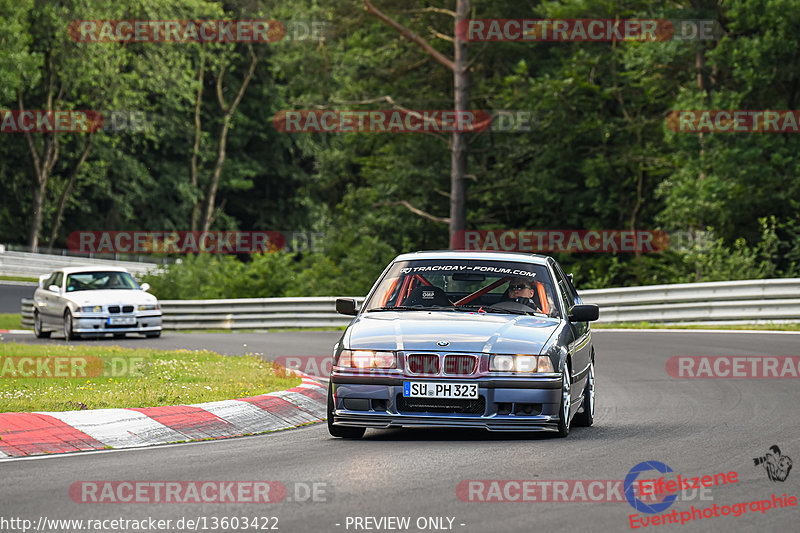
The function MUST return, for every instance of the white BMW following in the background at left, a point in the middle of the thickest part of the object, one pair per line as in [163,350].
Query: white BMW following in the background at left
[94,301]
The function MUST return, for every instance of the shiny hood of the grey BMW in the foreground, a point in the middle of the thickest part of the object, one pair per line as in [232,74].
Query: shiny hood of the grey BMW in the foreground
[465,332]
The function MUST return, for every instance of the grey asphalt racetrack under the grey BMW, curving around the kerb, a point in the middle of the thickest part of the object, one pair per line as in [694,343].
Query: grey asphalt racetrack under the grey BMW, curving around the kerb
[697,427]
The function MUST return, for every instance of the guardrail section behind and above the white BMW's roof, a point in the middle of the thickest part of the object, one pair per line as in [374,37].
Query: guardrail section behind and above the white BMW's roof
[34,265]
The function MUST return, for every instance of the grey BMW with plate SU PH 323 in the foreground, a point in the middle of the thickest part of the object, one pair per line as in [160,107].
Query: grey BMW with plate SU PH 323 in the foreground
[492,340]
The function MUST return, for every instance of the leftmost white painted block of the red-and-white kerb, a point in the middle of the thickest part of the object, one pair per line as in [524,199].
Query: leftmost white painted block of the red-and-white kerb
[120,428]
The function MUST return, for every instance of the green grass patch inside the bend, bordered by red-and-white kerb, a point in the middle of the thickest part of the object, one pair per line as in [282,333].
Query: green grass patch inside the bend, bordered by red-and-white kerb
[123,377]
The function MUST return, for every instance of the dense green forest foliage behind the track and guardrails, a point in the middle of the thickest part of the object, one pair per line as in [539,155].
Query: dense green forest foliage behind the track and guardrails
[600,154]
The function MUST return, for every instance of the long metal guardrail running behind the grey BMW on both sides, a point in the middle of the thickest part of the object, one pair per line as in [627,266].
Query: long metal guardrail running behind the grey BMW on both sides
[723,302]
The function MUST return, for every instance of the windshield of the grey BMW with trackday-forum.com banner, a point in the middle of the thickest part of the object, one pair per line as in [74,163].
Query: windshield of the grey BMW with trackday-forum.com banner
[465,284]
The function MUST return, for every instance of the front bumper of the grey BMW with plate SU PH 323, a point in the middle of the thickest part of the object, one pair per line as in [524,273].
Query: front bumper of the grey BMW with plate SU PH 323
[504,404]
